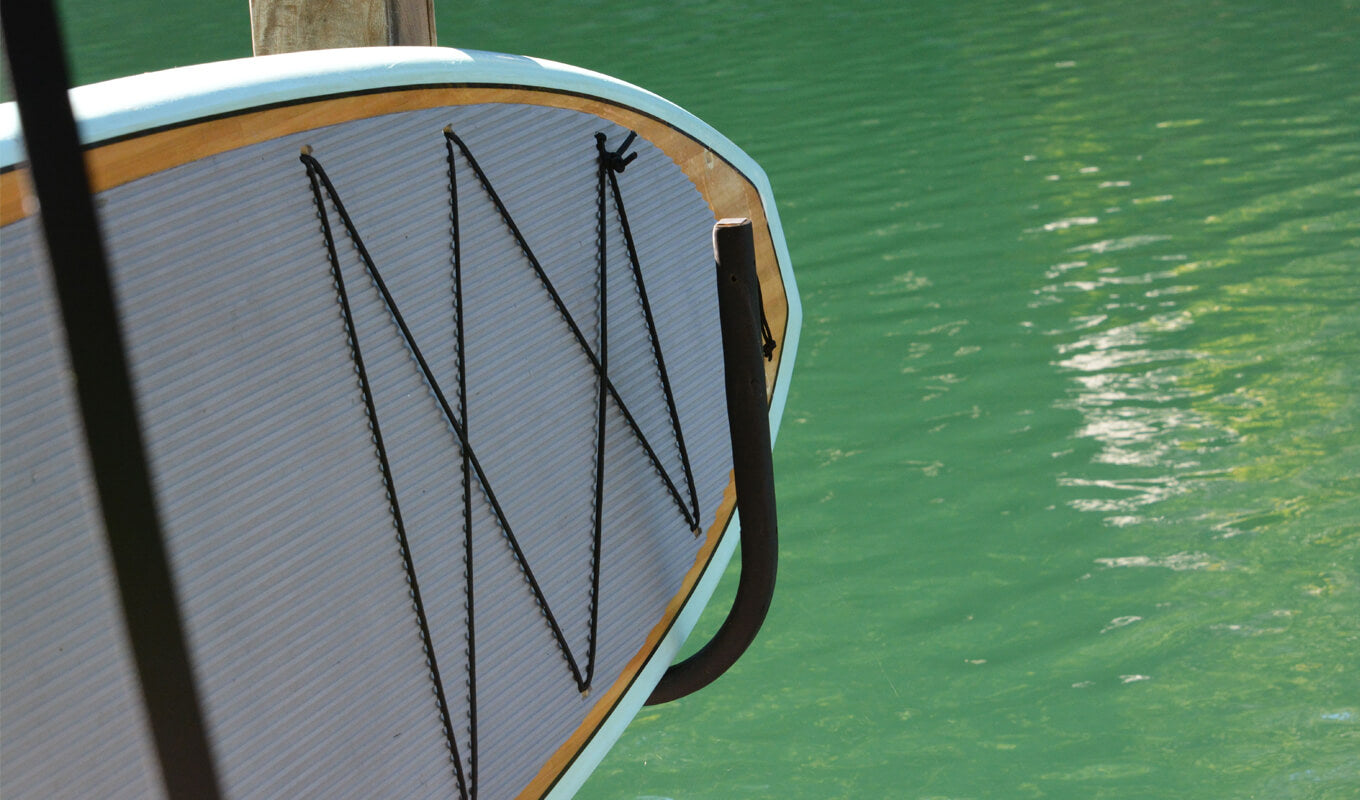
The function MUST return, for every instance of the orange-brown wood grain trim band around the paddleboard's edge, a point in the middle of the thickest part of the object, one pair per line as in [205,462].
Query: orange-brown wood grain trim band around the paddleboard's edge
[726,190]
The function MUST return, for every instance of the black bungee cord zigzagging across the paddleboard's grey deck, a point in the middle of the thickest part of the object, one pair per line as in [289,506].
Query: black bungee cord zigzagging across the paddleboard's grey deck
[610,164]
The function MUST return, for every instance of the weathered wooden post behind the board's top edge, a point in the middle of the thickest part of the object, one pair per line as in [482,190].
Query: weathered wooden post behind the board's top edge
[288,27]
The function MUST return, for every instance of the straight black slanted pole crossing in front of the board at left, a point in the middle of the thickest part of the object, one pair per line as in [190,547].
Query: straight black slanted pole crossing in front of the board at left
[56,160]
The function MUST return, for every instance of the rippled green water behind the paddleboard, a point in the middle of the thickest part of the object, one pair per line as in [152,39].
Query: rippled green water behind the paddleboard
[1070,476]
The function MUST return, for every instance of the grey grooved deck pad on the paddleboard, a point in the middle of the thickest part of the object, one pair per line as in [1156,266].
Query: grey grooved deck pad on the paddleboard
[279,524]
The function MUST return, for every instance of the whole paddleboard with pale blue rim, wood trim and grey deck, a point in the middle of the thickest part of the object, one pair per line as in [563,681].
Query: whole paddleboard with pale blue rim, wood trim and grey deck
[369,292]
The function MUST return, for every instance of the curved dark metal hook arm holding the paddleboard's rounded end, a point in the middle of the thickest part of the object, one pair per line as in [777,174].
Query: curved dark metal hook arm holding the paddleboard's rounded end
[749,418]
